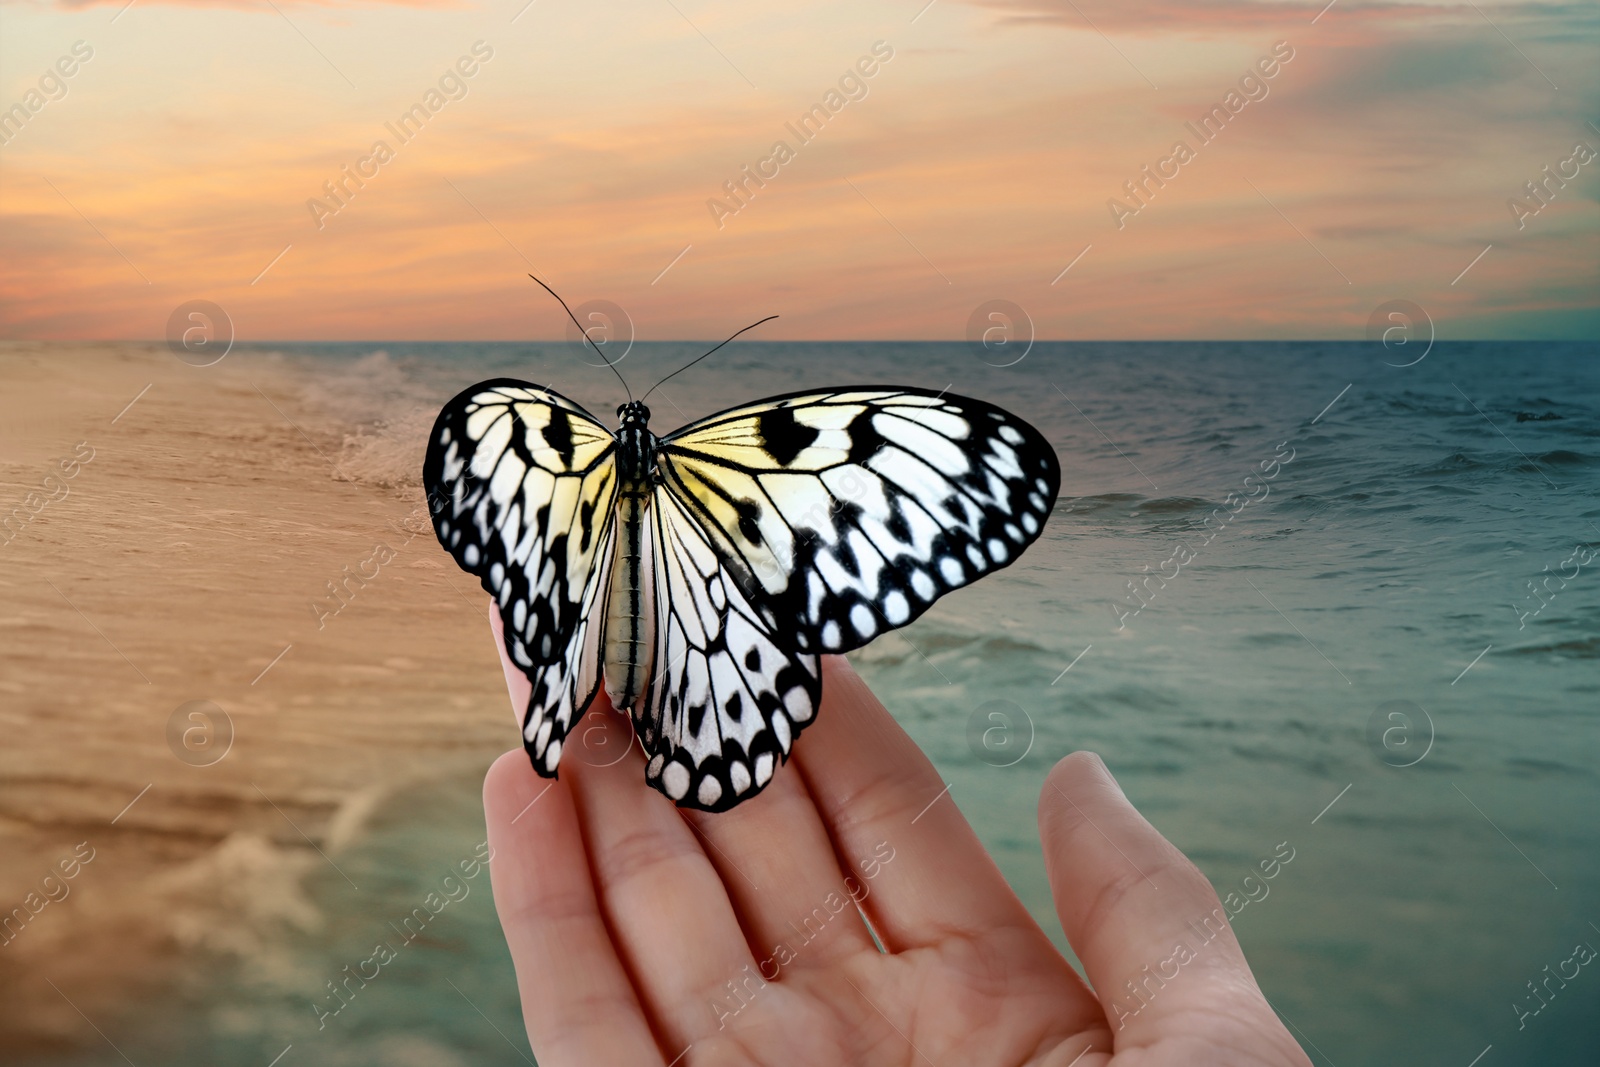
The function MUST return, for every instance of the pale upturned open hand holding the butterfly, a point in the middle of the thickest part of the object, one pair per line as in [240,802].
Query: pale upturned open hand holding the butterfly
[628,917]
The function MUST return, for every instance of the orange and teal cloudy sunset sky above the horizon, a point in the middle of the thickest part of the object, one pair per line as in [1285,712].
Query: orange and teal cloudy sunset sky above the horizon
[198,153]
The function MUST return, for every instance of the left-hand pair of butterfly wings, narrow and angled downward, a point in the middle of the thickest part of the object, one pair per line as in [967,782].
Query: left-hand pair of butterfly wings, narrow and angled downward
[522,486]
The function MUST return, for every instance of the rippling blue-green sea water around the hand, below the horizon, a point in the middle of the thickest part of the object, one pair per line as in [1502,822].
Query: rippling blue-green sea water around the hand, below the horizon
[1354,665]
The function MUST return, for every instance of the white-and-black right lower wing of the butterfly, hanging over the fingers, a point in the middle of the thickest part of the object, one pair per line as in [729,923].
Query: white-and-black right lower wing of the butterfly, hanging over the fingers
[727,695]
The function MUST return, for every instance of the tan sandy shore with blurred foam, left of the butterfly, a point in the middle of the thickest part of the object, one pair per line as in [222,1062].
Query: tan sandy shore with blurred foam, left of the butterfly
[206,546]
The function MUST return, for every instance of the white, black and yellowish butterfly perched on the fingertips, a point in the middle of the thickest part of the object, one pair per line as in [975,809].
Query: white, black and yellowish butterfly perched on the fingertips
[700,577]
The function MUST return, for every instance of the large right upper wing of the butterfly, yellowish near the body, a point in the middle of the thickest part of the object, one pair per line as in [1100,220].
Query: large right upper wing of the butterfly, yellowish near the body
[846,514]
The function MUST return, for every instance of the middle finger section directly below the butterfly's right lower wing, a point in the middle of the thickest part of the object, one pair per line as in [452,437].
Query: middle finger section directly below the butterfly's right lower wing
[777,861]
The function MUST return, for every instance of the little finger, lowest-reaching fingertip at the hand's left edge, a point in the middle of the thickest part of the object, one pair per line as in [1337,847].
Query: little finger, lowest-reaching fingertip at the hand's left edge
[577,999]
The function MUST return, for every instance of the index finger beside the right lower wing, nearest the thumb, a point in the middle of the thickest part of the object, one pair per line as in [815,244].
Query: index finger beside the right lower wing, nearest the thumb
[892,821]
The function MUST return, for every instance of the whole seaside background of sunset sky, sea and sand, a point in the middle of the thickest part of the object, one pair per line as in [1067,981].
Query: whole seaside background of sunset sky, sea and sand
[247,701]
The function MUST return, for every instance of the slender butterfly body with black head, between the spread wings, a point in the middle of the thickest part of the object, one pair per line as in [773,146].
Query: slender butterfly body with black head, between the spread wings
[630,633]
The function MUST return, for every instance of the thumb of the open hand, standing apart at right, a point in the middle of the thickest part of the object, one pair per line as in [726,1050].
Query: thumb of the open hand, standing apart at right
[1146,924]
